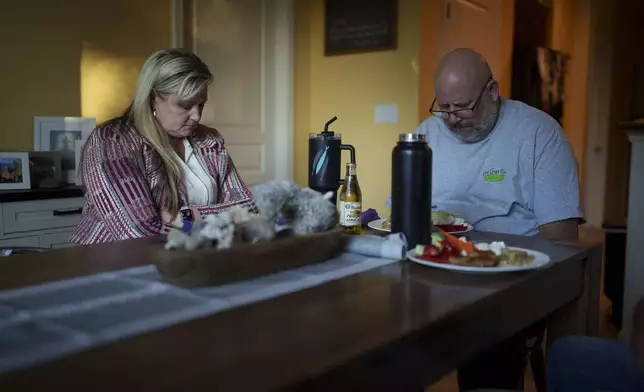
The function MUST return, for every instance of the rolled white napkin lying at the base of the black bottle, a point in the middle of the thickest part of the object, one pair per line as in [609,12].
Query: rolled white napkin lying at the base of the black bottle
[393,246]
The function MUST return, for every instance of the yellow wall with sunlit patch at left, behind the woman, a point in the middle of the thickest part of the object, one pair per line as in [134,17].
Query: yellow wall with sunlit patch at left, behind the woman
[73,58]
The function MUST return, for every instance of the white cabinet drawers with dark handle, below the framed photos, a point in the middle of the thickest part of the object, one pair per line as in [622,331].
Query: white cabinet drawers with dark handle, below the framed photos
[45,223]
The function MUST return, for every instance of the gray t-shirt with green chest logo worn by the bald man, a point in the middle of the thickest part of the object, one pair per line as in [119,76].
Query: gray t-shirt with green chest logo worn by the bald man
[522,176]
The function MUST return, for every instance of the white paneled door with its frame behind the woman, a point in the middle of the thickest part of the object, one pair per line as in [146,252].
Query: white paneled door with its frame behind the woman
[248,45]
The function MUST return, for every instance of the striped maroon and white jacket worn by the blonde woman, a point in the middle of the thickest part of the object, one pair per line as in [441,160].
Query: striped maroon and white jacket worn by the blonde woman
[125,187]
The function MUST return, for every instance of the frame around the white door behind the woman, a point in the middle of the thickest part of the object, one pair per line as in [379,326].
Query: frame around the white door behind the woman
[279,73]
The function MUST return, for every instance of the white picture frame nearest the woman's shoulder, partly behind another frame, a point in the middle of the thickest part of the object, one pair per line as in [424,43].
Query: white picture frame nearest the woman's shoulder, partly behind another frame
[60,134]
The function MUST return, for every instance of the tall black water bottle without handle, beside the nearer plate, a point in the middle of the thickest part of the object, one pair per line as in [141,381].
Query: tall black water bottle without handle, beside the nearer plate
[411,189]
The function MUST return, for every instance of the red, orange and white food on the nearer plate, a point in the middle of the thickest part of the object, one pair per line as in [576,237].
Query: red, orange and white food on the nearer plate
[445,248]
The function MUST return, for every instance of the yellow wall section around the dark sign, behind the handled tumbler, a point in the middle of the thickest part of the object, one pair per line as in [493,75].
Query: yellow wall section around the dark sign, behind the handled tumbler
[349,86]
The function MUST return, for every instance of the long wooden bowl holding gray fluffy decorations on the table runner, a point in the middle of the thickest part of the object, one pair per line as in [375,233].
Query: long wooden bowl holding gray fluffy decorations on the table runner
[210,266]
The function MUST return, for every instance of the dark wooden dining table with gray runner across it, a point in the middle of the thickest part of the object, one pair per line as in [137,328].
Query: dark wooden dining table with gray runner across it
[394,328]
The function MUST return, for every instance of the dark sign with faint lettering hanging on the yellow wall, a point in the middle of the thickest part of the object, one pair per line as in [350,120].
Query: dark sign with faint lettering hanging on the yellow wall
[355,26]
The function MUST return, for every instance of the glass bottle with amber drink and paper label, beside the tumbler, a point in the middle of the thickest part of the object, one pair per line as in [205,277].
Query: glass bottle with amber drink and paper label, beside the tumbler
[351,202]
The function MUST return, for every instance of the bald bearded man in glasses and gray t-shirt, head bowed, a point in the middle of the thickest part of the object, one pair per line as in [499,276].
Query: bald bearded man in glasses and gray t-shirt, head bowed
[506,167]
